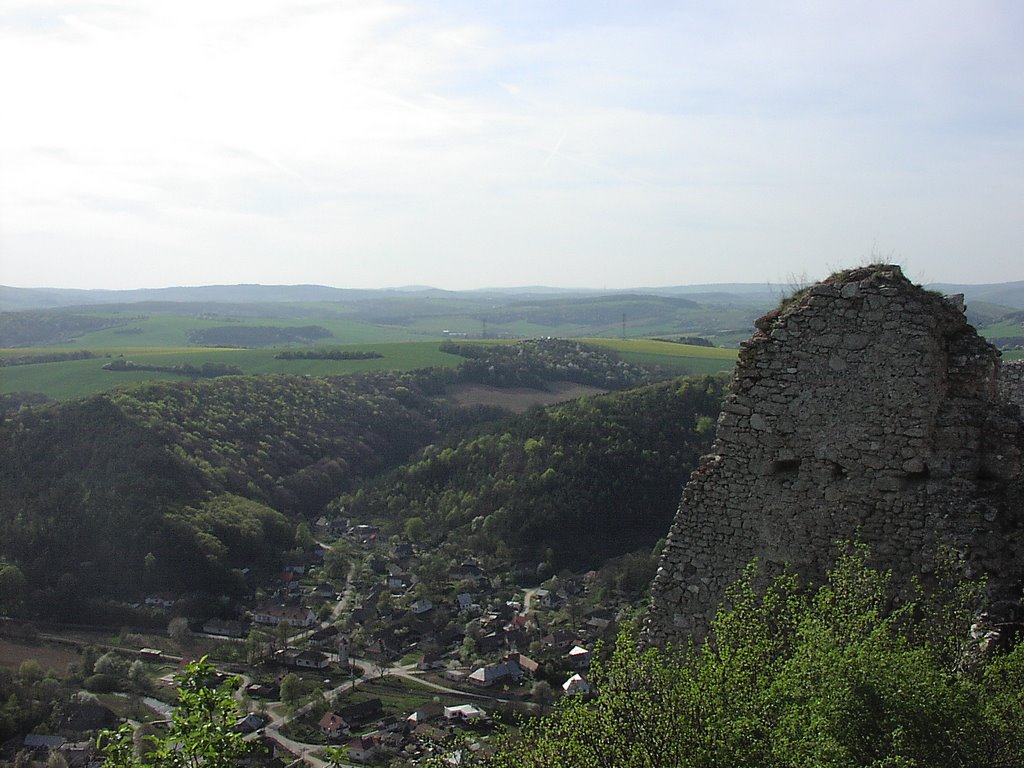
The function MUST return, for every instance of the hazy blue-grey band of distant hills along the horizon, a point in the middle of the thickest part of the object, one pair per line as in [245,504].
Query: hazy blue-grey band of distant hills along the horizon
[721,313]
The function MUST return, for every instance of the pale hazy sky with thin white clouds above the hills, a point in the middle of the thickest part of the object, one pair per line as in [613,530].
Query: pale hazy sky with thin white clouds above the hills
[478,143]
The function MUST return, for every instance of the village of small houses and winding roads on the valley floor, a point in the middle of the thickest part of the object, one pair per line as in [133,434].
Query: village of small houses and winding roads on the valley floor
[385,663]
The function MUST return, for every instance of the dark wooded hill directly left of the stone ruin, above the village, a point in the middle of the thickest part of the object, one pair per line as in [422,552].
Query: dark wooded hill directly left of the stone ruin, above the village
[570,486]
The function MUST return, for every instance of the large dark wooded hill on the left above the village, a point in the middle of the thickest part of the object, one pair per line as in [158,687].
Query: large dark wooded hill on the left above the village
[125,492]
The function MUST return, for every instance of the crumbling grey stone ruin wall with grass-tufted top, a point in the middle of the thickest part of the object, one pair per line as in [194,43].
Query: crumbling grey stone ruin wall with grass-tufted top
[866,409]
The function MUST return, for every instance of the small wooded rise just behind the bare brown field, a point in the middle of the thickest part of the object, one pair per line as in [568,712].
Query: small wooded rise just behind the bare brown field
[533,364]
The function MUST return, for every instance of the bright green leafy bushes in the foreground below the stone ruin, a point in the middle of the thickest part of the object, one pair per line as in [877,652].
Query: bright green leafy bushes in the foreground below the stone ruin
[849,675]
